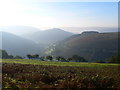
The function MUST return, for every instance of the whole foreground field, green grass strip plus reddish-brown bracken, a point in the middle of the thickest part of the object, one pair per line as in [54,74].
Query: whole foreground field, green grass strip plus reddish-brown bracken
[25,73]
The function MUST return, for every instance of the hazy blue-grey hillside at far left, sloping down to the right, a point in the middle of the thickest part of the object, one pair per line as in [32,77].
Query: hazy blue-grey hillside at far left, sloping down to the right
[16,45]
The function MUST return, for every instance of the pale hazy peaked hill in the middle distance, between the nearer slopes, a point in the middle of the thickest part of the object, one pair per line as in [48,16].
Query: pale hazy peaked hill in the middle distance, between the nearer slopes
[49,36]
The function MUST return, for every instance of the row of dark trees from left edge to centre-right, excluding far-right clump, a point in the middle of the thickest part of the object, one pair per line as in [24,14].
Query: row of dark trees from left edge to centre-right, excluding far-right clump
[74,58]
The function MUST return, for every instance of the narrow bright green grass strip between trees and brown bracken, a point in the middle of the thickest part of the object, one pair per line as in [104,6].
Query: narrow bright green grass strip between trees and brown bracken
[38,62]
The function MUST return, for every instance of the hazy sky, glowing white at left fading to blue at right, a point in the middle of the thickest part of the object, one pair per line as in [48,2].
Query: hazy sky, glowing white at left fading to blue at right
[58,14]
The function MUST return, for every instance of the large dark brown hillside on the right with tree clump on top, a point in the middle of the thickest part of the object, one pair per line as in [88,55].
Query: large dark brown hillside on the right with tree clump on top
[96,46]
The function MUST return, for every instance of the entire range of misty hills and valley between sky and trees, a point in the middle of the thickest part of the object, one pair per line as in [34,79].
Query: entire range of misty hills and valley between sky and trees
[57,42]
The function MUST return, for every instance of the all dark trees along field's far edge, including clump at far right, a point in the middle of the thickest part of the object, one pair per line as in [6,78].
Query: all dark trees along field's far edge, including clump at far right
[74,58]
